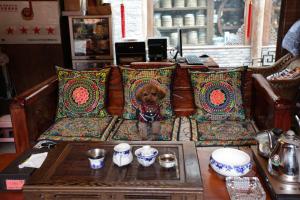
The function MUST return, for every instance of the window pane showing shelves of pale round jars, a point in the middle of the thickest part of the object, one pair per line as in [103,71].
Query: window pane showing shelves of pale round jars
[189,15]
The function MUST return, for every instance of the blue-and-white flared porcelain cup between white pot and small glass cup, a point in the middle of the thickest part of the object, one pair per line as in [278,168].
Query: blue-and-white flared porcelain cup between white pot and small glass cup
[146,156]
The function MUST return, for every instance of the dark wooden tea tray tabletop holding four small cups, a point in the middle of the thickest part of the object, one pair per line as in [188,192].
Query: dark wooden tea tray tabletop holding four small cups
[68,166]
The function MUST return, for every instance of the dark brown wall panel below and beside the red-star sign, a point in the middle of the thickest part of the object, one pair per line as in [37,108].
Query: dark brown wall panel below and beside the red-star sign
[31,64]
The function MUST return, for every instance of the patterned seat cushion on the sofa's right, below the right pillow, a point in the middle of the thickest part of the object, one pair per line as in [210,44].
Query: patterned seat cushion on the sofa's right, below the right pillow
[223,133]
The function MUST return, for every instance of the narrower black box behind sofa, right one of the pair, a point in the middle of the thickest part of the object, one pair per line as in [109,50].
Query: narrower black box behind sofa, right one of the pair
[157,49]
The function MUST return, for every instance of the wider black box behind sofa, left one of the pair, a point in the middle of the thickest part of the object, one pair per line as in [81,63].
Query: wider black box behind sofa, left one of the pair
[127,52]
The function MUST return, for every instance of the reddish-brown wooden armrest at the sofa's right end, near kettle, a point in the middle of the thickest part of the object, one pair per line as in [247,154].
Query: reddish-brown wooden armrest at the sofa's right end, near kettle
[269,110]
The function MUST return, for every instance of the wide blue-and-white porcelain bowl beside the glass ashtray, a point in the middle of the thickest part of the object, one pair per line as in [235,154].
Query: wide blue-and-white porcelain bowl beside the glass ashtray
[230,162]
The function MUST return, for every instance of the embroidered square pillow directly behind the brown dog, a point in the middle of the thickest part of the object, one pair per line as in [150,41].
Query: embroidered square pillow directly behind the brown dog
[134,79]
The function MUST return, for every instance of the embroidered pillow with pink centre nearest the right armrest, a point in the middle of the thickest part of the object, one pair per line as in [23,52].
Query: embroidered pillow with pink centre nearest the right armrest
[218,95]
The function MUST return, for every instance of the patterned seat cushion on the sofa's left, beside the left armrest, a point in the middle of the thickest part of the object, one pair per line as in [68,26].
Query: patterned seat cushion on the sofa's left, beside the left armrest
[80,129]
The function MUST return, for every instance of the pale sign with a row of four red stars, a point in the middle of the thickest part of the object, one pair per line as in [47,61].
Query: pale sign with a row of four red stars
[26,22]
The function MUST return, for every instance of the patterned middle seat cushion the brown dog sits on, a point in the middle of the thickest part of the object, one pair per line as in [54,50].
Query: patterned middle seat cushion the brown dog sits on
[128,130]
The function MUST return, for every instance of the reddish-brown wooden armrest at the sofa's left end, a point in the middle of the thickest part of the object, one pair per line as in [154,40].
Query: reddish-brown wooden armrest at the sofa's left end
[33,111]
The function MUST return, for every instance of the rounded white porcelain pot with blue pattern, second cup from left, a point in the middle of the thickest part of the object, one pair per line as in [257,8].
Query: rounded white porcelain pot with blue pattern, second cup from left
[122,154]
